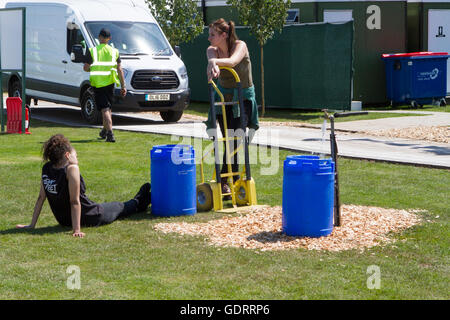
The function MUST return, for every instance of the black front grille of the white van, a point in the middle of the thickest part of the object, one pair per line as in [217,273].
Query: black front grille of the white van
[155,79]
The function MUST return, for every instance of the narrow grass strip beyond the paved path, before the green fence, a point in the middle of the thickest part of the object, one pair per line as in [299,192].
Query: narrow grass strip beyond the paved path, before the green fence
[309,116]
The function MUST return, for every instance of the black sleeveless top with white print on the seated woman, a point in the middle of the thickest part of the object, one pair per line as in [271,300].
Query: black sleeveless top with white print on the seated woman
[57,190]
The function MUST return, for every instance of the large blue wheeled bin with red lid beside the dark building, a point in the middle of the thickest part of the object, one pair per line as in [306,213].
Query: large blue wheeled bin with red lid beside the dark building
[416,78]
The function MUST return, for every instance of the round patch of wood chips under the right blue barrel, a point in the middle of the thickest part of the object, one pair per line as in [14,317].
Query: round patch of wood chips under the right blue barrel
[261,228]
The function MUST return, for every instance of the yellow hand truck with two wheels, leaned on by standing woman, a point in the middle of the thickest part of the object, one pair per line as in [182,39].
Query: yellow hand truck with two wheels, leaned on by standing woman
[243,191]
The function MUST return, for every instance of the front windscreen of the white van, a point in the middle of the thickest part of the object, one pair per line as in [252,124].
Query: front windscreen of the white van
[132,38]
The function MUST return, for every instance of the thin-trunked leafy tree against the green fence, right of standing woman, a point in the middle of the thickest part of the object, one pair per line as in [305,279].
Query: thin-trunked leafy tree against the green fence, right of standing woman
[264,17]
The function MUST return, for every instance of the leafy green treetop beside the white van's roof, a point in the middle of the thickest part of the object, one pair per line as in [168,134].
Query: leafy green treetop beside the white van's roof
[180,20]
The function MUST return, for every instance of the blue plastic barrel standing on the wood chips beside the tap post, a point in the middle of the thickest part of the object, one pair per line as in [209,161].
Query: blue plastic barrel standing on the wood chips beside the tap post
[308,196]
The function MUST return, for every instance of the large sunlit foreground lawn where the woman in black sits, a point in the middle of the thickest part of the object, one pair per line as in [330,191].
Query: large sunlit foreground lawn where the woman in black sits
[130,260]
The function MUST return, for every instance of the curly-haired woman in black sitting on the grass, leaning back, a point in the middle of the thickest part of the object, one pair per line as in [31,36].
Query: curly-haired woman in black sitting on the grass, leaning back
[65,189]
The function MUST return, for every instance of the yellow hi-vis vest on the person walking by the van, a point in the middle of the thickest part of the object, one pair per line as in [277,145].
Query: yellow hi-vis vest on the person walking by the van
[104,66]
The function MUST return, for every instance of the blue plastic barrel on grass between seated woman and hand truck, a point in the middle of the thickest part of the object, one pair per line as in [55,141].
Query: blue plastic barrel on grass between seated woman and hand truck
[173,179]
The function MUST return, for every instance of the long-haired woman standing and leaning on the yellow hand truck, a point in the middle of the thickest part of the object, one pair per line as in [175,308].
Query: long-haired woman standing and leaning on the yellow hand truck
[226,50]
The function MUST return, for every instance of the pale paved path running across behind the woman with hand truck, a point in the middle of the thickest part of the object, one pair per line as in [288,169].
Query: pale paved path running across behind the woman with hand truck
[353,145]
